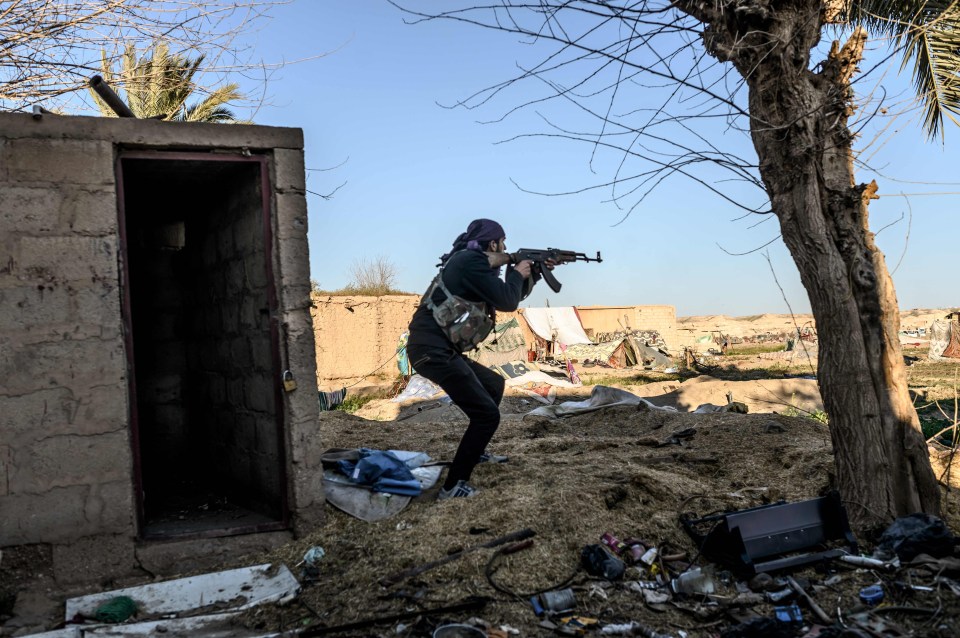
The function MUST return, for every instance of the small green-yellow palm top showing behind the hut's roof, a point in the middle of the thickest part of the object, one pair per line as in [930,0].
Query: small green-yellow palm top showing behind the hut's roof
[158,84]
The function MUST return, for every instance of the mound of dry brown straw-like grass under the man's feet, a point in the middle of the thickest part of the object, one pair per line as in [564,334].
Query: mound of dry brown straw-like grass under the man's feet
[569,481]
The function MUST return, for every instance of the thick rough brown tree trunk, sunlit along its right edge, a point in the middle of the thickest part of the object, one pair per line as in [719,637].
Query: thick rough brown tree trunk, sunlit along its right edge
[799,129]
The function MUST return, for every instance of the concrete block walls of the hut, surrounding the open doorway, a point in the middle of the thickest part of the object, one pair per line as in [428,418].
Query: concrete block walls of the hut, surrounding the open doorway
[66,477]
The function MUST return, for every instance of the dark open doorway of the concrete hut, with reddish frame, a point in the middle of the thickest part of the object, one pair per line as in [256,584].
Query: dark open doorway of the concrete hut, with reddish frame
[199,303]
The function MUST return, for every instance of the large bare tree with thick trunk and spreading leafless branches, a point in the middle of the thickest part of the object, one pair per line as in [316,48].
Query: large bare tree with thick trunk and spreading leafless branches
[649,79]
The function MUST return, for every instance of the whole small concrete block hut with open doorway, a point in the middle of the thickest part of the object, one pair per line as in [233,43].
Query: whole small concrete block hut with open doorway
[154,318]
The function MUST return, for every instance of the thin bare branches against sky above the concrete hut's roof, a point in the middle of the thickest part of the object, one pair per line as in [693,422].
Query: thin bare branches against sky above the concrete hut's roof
[48,48]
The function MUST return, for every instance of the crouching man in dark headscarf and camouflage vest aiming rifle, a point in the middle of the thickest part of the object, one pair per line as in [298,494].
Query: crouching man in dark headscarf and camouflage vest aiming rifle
[465,297]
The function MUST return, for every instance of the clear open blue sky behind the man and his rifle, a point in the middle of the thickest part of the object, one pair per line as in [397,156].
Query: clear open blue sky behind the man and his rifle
[413,175]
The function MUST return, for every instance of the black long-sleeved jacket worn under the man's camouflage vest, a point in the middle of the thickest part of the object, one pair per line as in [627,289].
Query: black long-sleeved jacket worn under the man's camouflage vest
[468,274]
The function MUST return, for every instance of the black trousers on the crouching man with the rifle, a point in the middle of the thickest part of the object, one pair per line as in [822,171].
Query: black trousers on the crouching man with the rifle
[475,389]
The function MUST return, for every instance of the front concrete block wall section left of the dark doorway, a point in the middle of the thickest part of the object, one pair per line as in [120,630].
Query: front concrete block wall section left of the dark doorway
[64,446]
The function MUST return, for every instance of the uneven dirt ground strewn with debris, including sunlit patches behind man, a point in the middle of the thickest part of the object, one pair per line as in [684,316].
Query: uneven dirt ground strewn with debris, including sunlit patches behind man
[619,470]
